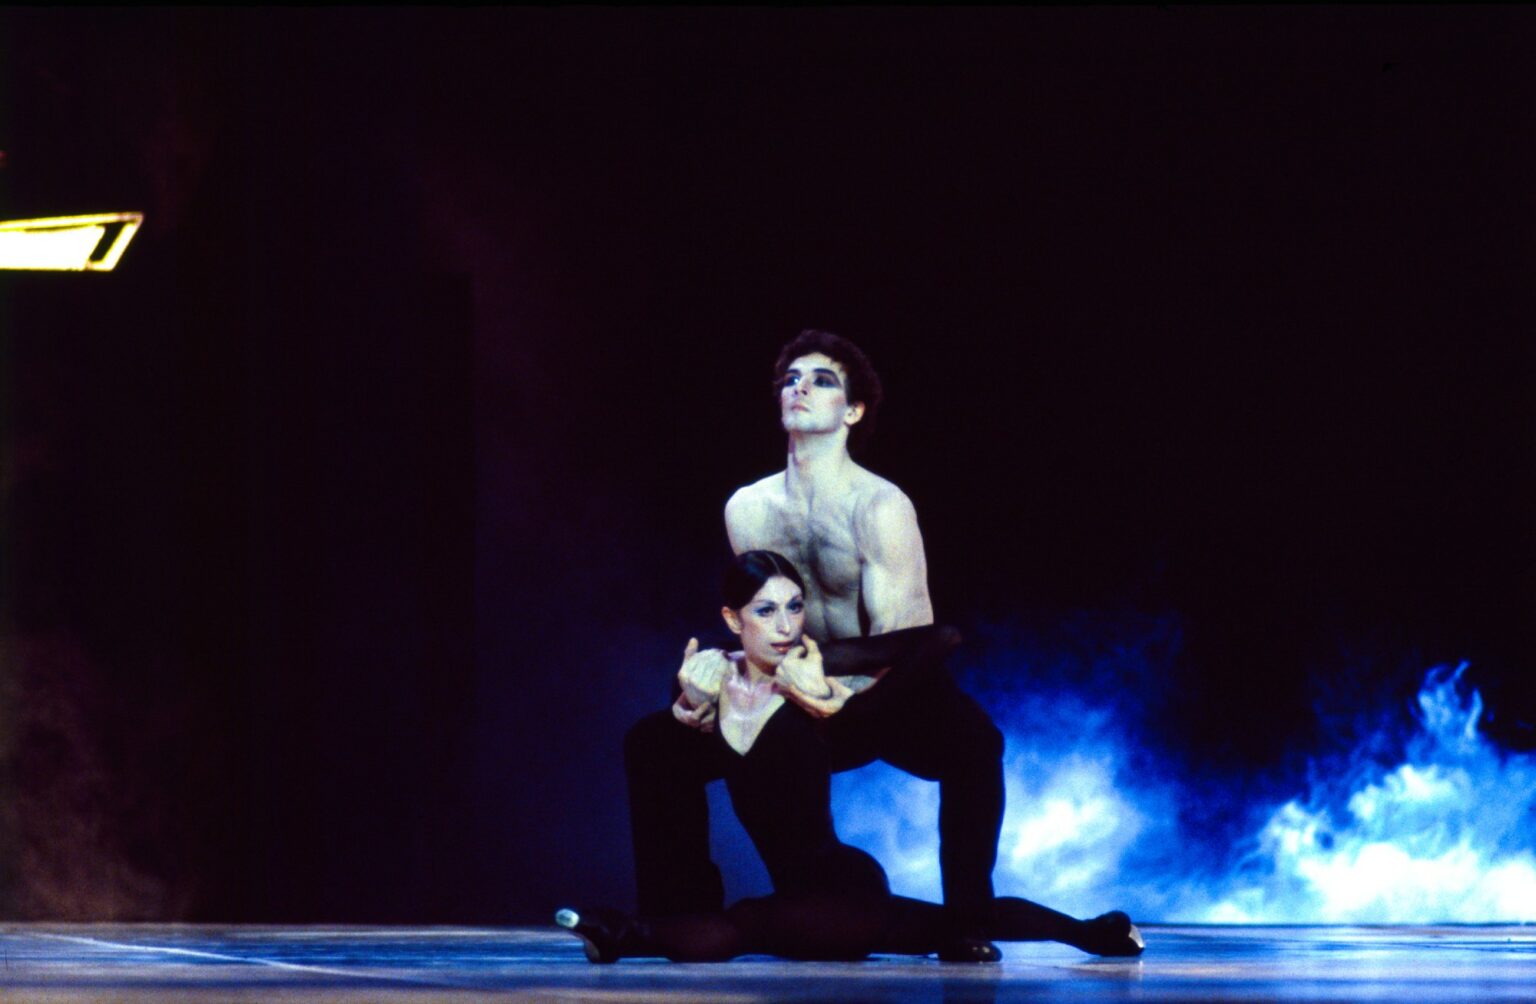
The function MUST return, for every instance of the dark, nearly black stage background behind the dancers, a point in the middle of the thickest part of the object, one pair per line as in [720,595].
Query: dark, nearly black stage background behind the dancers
[351,521]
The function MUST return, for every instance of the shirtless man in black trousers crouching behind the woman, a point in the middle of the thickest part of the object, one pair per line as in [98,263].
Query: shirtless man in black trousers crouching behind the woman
[855,538]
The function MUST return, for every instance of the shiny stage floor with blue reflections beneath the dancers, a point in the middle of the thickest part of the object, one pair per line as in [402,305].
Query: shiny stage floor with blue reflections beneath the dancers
[182,963]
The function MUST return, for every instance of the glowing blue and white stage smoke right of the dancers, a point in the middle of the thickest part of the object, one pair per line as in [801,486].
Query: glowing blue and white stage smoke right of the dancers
[1437,831]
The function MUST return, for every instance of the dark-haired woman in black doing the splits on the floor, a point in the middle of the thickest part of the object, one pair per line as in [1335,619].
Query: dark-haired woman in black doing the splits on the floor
[830,902]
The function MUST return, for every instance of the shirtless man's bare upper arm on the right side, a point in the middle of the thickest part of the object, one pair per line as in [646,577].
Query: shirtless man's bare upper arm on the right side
[895,578]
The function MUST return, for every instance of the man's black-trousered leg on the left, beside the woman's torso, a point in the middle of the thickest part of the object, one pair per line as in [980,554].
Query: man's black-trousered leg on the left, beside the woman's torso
[669,765]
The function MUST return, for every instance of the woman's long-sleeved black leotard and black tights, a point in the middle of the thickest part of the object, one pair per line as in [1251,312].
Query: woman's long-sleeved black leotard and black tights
[832,900]
